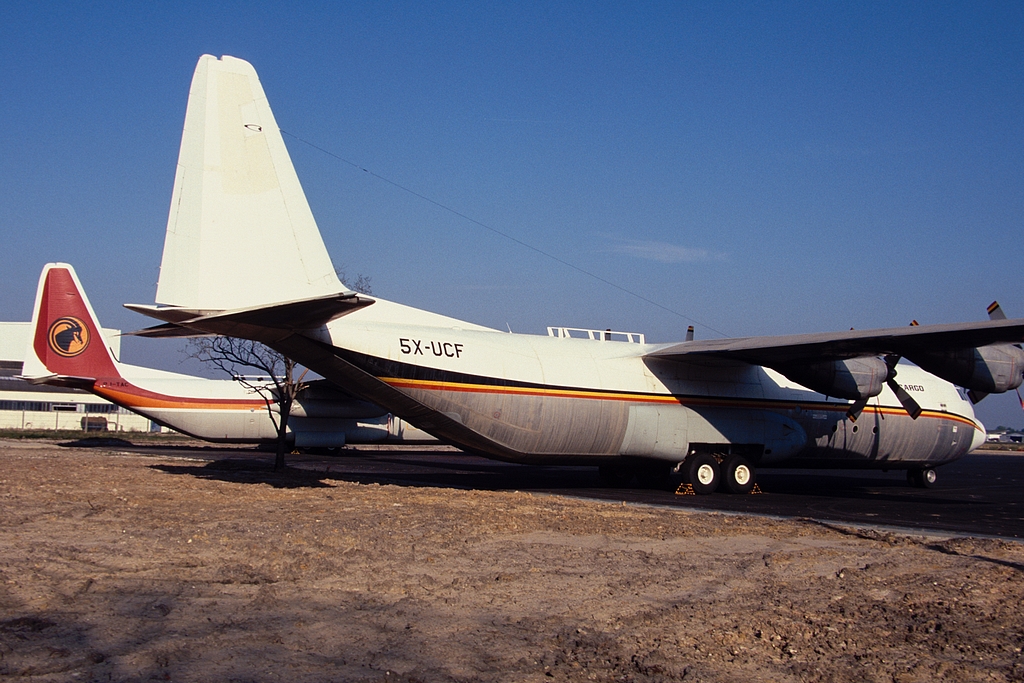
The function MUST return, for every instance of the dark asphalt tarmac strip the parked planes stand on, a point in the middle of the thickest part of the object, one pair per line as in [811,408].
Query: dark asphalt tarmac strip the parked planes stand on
[983,494]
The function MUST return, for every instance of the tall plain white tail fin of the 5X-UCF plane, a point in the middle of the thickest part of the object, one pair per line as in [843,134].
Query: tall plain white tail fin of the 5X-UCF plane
[240,233]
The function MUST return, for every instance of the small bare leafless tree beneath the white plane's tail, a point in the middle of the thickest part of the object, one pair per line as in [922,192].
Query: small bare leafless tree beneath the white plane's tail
[275,380]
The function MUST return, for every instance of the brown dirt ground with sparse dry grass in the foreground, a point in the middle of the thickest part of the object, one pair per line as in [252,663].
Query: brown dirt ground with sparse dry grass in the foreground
[124,568]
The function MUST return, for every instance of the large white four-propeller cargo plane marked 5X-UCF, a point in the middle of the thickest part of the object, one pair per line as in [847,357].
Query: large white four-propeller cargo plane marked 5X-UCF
[712,410]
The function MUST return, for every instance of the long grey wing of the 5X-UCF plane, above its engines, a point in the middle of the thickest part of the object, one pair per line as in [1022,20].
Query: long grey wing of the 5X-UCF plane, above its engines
[908,341]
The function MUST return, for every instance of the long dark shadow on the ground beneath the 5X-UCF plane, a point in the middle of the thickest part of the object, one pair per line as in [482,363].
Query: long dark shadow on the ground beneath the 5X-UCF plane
[846,498]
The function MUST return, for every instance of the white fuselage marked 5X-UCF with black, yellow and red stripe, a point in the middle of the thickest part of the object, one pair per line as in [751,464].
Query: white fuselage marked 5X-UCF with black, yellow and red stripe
[535,399]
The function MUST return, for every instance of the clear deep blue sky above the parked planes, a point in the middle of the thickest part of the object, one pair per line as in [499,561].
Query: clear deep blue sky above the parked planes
[757,168]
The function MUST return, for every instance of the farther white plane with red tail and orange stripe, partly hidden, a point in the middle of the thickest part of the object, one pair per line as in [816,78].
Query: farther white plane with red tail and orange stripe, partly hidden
[68,349]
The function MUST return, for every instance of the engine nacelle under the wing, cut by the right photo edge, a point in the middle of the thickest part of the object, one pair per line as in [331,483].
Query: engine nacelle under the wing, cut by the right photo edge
[992,369]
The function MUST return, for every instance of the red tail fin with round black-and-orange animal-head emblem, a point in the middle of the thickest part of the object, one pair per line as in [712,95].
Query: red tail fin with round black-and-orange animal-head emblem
[67,346]
